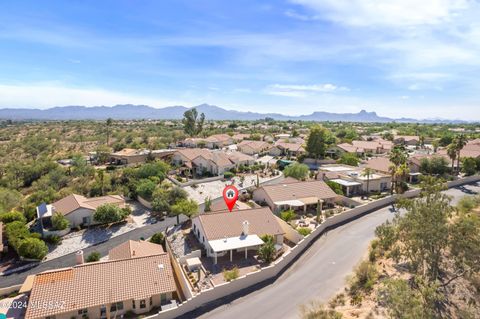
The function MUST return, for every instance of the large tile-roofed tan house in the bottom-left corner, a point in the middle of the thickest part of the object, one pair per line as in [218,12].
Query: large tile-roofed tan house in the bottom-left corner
[104,289]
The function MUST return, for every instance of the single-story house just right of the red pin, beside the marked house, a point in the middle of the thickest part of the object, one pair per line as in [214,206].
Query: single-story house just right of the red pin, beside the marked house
[295,195]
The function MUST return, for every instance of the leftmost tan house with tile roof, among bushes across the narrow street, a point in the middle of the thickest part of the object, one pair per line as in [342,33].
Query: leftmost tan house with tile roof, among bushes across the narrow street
[77,209]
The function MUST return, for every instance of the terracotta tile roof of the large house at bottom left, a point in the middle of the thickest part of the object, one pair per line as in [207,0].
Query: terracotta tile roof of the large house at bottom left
[99,283]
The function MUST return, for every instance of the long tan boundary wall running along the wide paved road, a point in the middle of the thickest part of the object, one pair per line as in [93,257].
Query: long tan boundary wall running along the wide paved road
[285,260]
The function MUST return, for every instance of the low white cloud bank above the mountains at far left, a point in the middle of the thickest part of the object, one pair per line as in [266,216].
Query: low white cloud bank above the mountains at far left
[43,95]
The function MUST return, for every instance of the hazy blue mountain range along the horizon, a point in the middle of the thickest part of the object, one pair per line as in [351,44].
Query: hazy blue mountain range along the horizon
[136,112]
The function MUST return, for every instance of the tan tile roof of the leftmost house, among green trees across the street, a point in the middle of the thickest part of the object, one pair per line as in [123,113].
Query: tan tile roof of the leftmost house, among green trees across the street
[72,202]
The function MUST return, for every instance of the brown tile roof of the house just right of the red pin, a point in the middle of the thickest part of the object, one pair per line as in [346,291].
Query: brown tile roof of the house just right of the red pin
[290,191]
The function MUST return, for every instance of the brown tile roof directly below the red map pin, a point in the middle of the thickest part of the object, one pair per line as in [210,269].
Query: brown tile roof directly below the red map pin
[219,225]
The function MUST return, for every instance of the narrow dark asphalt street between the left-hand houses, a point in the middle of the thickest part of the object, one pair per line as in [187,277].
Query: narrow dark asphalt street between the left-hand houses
[102,248]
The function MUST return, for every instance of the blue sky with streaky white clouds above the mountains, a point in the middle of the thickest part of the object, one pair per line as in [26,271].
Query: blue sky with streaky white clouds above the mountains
[398,57]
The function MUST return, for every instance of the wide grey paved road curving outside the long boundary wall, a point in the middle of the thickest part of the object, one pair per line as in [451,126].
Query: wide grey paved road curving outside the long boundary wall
[318,274]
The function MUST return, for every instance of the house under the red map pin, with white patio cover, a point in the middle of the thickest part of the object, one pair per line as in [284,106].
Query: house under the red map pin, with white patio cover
[223,232]
